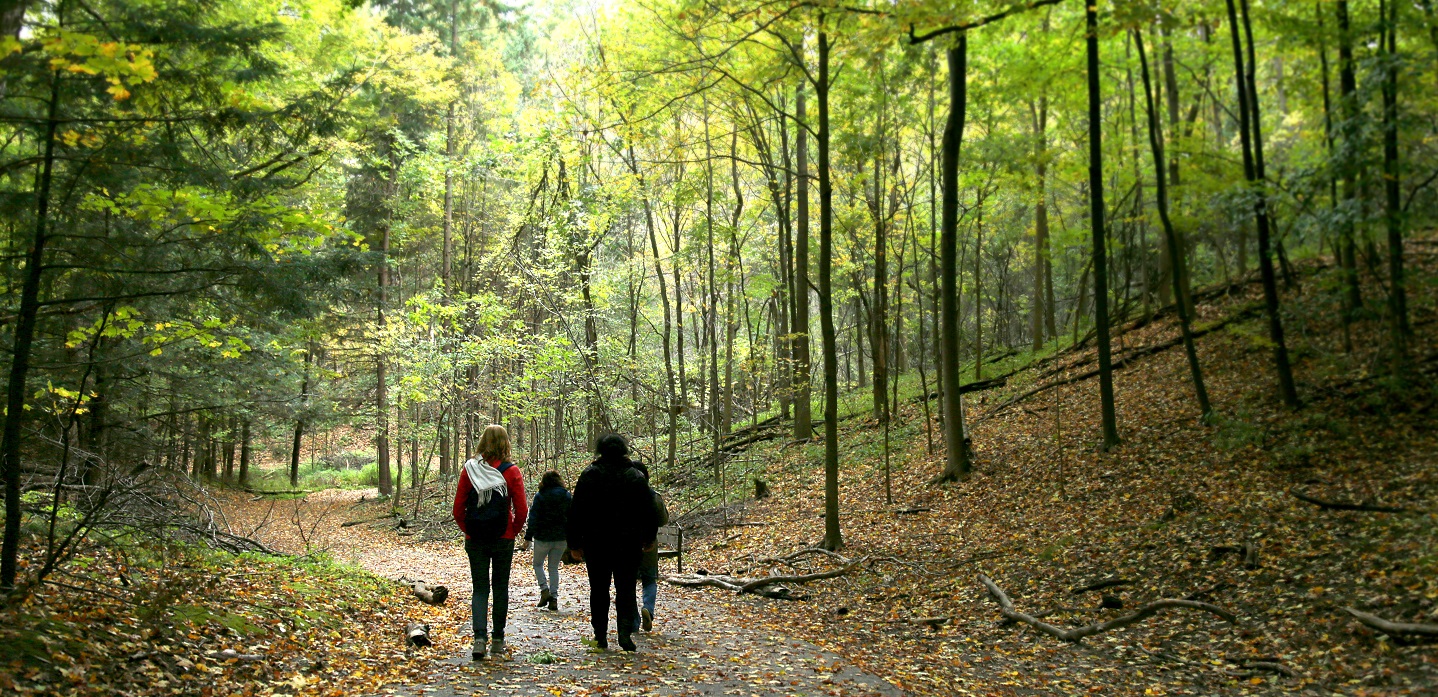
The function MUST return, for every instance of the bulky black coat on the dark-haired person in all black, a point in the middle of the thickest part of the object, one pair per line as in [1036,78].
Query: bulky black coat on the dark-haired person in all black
[613,509]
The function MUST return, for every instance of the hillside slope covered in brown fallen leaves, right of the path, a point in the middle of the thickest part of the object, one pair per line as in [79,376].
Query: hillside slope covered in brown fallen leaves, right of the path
[1180,511]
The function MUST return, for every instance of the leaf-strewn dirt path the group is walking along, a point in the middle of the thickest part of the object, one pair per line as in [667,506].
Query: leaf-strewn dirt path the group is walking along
[698,647]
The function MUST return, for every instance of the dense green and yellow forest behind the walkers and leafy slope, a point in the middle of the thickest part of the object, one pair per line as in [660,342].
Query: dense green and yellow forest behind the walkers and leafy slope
[278,245]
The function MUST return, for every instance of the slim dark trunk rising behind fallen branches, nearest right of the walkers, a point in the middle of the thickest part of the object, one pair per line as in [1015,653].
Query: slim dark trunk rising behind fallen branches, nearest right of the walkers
[833,538]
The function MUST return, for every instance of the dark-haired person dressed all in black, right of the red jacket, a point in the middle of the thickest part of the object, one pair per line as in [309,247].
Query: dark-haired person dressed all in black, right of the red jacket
[612,521]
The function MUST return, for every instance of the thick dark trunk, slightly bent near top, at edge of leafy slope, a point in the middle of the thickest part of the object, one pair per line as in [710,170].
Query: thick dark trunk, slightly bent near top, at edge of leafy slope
[957,461]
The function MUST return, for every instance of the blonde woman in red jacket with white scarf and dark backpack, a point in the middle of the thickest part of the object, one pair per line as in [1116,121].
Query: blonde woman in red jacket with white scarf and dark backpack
[490,507]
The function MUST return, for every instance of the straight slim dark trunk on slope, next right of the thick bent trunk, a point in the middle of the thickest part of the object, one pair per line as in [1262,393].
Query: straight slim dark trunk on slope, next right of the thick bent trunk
[1101,258]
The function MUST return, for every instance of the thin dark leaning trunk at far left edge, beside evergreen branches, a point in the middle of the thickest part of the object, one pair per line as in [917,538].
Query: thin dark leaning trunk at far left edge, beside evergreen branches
[27,317]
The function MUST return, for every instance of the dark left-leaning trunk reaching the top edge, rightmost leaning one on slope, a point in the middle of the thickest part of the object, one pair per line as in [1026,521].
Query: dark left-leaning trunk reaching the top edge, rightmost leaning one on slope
[1250,129]
